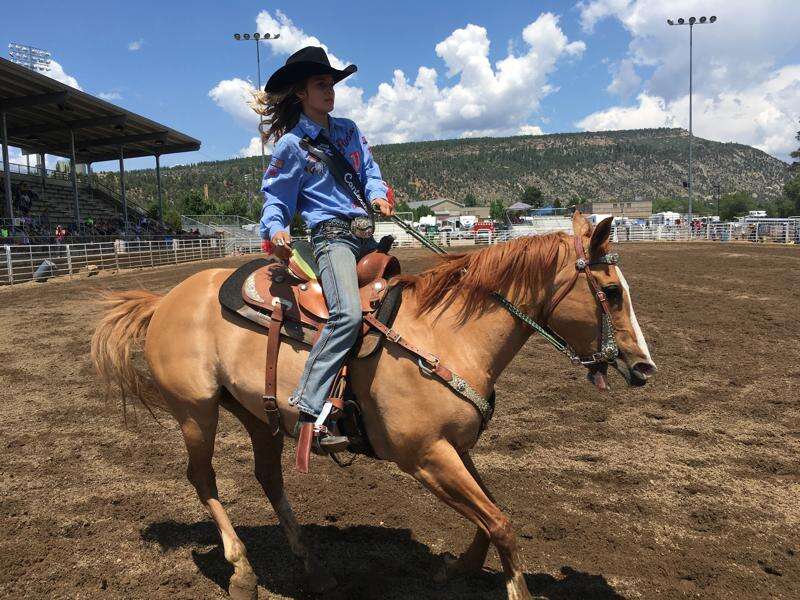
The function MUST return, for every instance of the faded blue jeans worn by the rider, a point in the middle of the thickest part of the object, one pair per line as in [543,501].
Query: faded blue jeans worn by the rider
[337,250]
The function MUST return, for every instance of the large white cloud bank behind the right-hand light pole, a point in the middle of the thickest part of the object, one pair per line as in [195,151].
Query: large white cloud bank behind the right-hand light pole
[744,90]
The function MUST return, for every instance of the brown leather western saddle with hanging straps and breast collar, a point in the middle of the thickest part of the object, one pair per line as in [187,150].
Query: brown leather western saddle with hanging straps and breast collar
[288,300]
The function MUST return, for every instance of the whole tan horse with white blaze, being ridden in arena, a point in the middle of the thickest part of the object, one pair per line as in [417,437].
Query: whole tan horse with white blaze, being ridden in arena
[201,358]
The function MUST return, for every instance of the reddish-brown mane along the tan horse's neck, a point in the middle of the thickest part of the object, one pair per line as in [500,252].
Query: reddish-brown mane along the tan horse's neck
[511,267]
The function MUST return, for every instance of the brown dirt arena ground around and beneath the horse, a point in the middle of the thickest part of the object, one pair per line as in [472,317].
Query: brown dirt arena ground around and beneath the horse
[689,487]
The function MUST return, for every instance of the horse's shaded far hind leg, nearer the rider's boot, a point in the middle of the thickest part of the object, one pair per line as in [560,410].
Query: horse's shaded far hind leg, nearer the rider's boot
[267,451]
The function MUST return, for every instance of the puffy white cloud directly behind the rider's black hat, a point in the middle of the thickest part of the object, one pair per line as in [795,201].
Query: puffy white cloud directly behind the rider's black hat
[473,97]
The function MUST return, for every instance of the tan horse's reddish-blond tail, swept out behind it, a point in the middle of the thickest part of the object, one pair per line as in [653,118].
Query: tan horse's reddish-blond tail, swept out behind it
[116,340]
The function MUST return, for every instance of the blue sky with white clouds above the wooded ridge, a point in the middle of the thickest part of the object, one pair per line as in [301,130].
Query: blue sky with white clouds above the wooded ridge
[550,66]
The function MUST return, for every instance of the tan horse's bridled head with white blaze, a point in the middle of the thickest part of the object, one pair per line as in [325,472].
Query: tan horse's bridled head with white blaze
[591,291]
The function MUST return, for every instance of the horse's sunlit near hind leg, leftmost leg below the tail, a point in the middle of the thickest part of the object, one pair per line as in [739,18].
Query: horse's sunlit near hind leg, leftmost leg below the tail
[199,427]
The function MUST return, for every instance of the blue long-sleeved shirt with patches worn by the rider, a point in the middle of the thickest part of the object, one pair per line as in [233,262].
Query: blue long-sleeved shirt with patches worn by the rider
[296,181]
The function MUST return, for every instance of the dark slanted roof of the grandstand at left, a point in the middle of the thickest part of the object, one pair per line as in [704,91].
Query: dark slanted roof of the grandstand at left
[40,112]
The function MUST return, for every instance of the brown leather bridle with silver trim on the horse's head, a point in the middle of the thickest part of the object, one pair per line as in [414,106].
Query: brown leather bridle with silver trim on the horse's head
[608,350]
